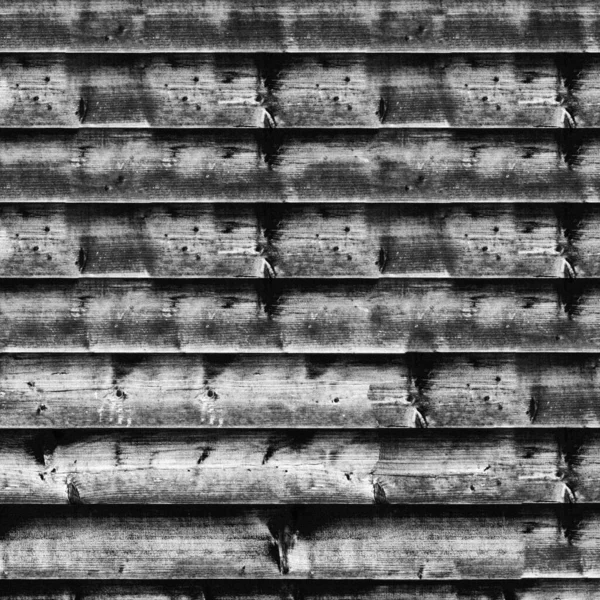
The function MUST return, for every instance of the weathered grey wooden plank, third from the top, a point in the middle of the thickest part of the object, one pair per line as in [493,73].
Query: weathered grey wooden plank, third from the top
[278,165]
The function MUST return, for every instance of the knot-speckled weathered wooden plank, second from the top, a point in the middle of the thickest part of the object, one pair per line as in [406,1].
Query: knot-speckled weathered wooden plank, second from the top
[267,91]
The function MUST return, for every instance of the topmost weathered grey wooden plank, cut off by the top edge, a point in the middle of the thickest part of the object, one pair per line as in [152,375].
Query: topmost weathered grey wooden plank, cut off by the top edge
[306,25]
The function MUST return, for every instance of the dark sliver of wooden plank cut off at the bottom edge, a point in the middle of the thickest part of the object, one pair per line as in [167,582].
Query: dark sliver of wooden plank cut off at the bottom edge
[573,589]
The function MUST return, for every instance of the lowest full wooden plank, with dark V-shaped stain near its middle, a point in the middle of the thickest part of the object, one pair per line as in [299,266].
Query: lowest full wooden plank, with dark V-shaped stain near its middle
[320,542]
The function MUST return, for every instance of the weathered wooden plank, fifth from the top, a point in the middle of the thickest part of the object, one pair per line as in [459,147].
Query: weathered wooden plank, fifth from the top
[272,315]
